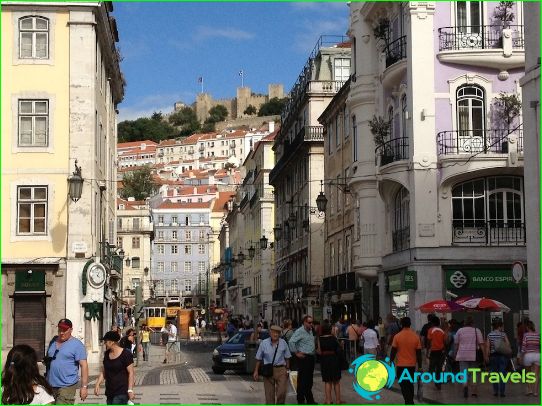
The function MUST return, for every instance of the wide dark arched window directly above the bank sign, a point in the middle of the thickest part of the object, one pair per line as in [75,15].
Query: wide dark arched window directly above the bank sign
[489,211]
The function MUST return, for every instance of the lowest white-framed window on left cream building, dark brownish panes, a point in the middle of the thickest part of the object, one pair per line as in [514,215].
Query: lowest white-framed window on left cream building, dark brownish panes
[31,210]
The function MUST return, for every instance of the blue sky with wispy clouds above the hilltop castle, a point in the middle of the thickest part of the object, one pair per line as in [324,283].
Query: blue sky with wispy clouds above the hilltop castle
[167,46]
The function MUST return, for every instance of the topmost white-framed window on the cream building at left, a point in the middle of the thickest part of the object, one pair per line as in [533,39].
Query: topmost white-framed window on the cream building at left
[33,38]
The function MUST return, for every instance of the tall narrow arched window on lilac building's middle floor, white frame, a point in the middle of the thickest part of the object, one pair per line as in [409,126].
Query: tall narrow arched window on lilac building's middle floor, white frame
[470,118]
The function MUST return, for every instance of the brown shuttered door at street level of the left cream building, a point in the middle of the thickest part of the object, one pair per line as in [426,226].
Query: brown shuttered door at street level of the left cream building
[29,322]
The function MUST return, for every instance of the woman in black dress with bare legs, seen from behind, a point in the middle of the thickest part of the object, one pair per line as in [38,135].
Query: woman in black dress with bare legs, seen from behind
[328,348]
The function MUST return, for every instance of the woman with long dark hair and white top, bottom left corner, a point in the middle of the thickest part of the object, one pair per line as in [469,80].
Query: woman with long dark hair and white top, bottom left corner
[21,379]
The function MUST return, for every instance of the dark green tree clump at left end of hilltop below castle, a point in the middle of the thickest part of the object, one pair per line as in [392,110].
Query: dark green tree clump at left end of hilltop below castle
[145,128]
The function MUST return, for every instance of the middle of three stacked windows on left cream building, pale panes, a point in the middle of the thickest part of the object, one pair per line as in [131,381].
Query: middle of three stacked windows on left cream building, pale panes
[33,123]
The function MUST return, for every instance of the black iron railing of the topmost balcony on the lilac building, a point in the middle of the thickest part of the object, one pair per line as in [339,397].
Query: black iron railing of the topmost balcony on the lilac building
[478,37]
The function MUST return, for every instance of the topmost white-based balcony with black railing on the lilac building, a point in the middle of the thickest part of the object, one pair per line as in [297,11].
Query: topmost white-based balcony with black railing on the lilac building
[488,46]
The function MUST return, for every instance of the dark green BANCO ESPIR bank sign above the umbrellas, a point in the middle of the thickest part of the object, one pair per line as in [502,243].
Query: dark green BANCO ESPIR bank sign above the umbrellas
[481,278]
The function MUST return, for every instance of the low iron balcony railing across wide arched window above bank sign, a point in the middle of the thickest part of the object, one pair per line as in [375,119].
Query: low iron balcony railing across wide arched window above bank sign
[491,233]
